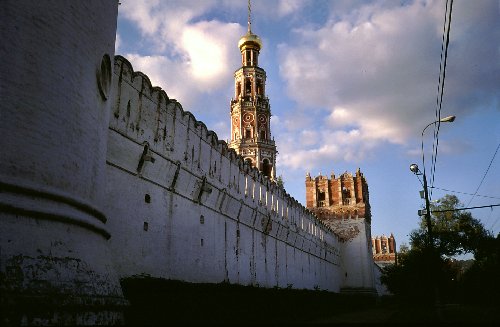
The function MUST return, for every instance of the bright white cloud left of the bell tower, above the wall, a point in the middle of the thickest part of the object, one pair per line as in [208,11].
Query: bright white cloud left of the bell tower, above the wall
[189,58]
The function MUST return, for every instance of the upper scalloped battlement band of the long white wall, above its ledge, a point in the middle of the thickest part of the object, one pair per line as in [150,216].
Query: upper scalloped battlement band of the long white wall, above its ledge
[145,114]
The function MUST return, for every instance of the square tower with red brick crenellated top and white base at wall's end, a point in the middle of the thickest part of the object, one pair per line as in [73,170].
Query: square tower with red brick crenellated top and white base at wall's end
[342,203]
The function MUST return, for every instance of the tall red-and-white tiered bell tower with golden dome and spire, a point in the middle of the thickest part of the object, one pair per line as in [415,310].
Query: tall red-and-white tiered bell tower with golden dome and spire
[250,109]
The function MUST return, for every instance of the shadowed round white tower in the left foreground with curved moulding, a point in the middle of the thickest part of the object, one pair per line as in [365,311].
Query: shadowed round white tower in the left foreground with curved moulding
[55,81]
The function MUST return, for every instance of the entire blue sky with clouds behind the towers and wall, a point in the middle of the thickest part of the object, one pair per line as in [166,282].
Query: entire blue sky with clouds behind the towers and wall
[351,84]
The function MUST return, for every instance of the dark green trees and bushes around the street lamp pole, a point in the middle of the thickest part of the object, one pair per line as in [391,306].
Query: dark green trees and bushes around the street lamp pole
[422,270]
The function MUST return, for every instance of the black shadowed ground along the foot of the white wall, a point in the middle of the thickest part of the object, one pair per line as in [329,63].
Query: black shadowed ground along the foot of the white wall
[164,302]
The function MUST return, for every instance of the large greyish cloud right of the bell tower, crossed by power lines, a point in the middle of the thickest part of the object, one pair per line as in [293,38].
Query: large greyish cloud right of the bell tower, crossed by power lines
[374,73]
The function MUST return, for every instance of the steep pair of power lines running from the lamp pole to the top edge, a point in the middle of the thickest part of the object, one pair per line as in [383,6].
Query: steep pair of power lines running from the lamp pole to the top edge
[439,99]
